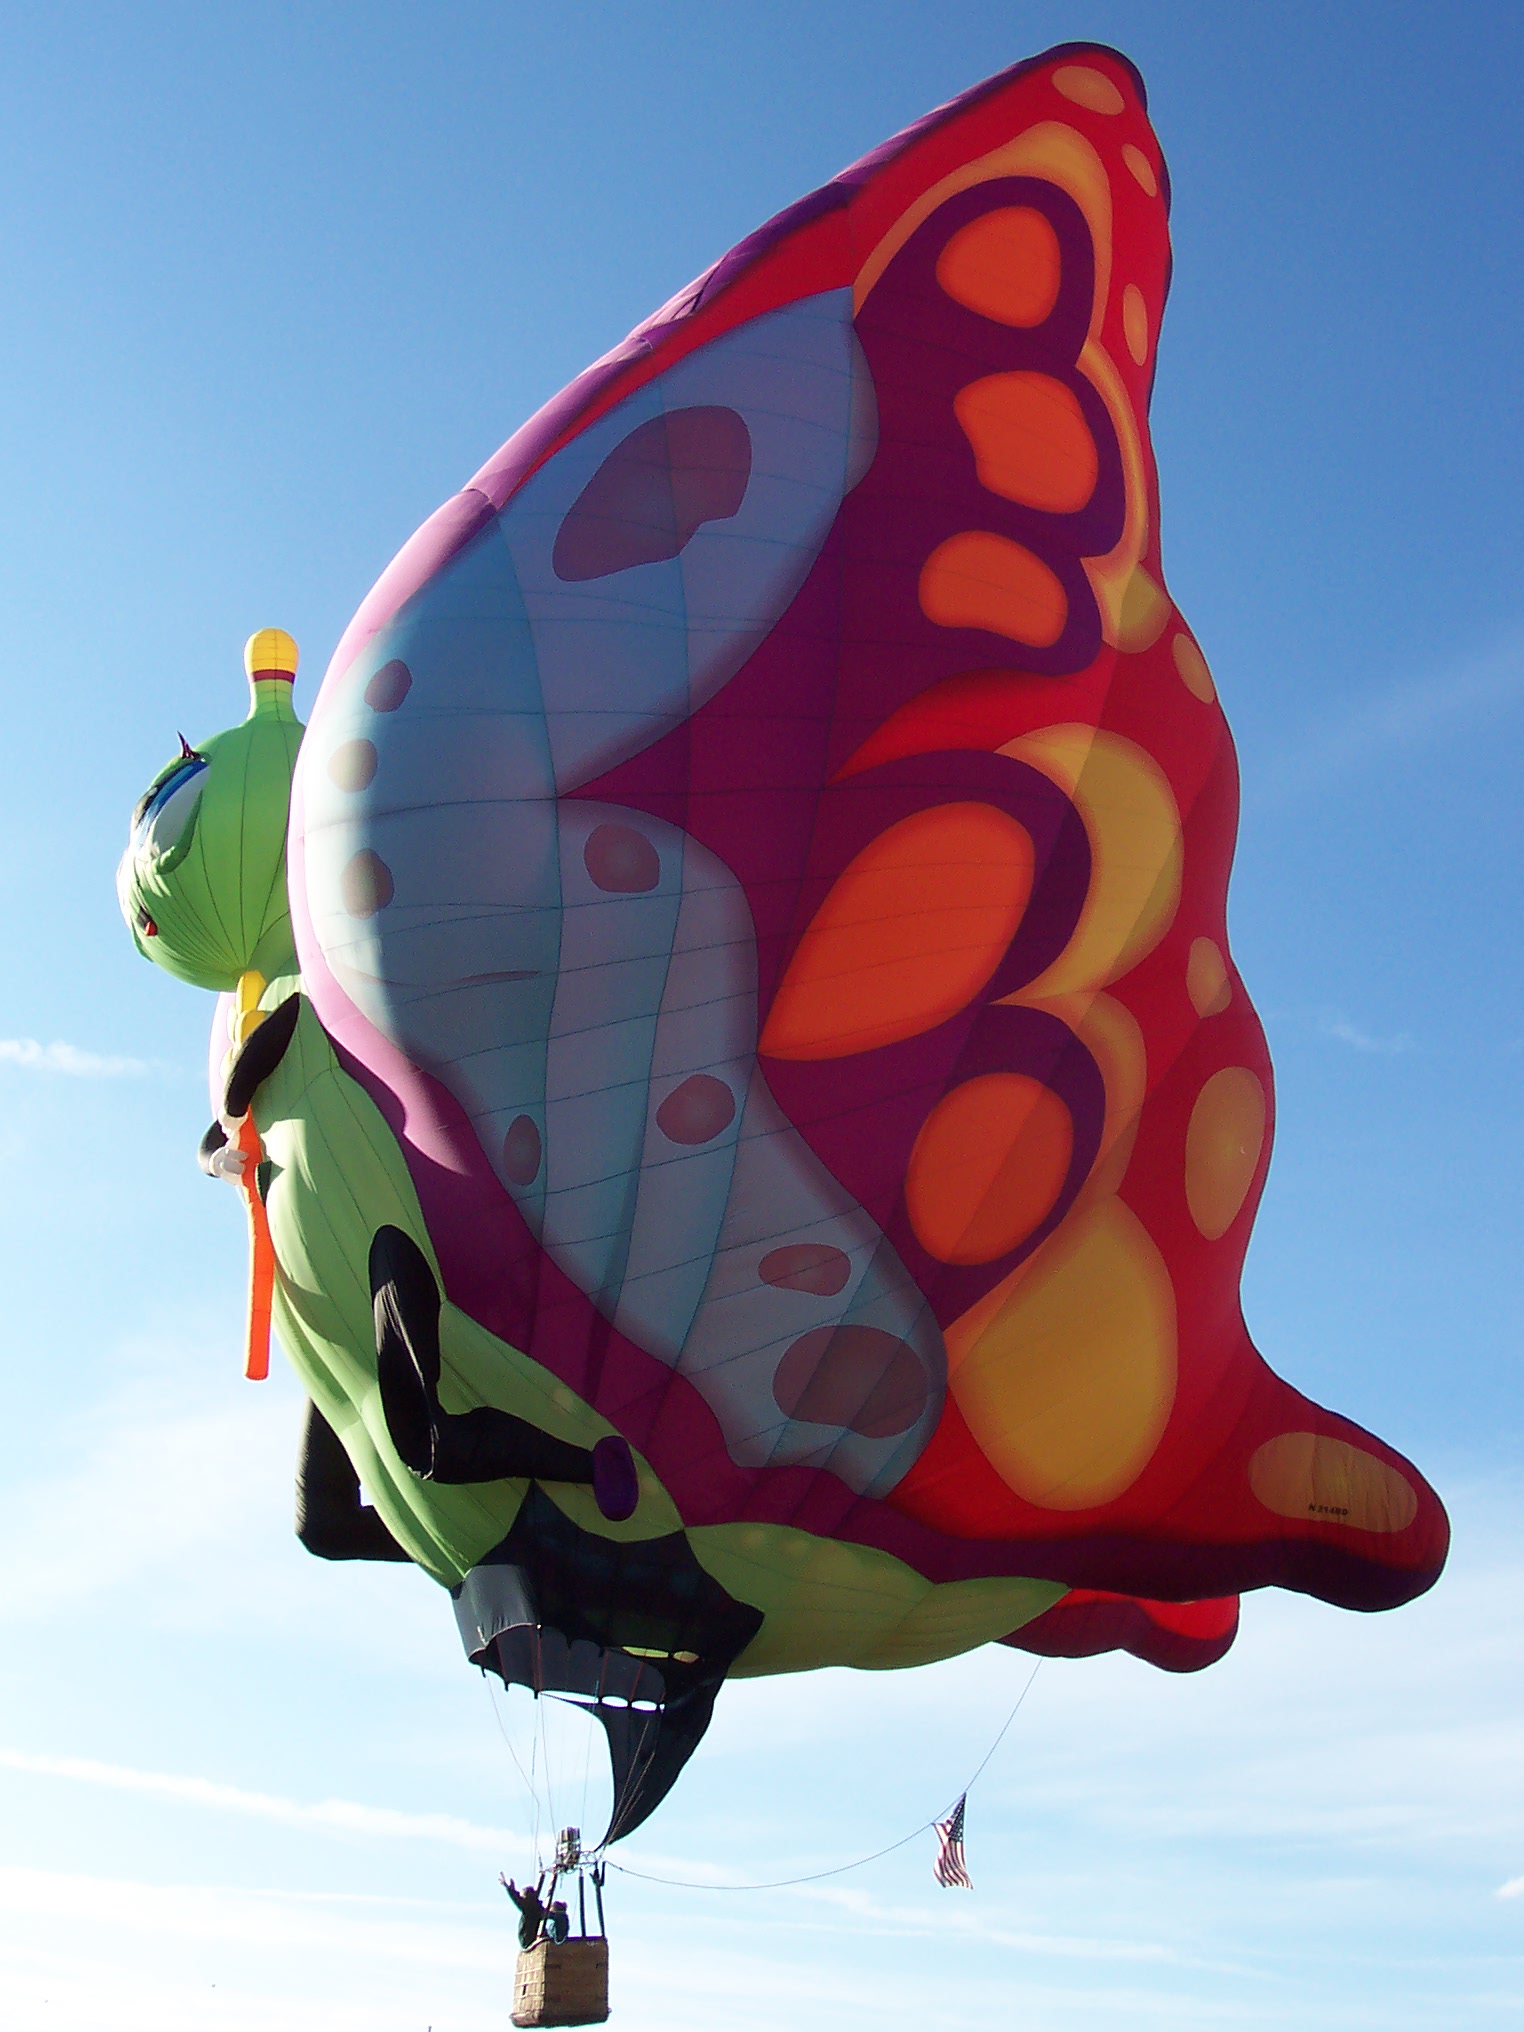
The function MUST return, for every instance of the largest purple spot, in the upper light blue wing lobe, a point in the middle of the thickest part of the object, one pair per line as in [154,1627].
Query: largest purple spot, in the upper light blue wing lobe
[655,491]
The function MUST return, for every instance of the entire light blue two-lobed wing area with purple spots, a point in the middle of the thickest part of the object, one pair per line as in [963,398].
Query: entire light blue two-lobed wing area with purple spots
[584,976]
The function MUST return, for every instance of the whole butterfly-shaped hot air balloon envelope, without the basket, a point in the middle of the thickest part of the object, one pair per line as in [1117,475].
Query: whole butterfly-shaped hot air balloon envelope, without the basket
[751,1123]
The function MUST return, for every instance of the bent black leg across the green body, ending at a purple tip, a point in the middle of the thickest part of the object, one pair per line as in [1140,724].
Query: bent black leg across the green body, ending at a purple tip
[440,1446]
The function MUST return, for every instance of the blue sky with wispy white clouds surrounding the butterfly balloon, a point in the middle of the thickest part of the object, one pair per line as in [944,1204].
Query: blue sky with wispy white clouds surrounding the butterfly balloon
[273,285]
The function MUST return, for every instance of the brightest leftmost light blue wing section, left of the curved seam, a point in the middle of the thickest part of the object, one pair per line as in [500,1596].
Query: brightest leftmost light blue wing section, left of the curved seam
[434,867]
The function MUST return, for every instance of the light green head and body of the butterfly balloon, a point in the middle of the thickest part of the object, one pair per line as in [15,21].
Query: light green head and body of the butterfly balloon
[204,893]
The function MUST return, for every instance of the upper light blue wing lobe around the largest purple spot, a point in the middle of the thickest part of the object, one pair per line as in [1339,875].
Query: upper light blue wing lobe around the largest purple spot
[629,653]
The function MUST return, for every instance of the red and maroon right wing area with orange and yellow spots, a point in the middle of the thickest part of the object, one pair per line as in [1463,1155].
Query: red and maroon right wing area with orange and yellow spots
[993,944]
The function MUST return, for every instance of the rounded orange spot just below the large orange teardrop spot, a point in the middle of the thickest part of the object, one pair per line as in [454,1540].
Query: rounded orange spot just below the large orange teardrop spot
[987,1167]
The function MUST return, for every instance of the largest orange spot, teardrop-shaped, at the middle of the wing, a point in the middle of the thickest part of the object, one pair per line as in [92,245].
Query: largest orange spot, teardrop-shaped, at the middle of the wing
[909,934]
